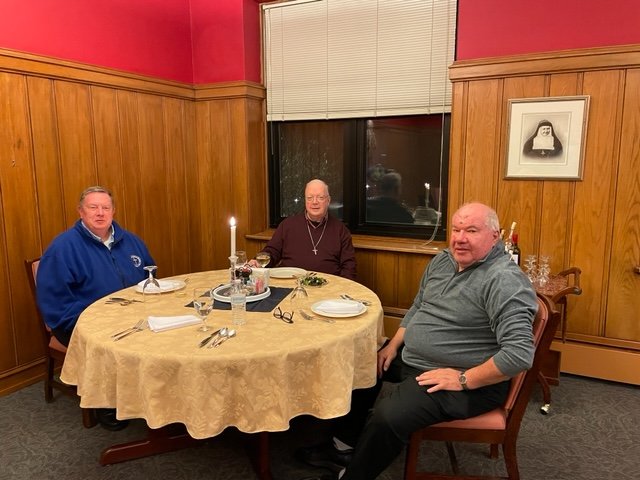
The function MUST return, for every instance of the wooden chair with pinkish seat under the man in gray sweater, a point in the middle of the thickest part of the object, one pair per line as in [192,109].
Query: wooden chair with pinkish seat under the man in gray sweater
[499,426]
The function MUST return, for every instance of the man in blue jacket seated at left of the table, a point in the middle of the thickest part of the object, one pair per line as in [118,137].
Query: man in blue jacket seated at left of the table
[92,259]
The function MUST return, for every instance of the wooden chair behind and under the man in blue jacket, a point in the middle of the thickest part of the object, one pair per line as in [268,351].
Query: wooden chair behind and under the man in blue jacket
[54,352]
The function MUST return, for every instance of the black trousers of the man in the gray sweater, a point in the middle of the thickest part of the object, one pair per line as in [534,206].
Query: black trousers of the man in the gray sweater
[382,432]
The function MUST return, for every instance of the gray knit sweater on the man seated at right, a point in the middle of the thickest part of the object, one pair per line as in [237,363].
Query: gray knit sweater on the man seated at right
[461,319]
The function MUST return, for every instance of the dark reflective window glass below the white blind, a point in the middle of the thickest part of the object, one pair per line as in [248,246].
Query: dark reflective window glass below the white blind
[386,176]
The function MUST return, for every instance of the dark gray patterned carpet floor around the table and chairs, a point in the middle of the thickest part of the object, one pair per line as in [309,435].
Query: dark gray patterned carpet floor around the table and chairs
[592,432]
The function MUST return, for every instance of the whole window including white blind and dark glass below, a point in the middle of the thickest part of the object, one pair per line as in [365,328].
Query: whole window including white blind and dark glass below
[358,95]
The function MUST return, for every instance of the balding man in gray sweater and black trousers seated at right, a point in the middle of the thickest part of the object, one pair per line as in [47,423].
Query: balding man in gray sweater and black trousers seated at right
[467,333]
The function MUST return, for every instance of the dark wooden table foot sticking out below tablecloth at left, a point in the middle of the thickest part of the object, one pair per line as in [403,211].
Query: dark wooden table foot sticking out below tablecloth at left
[160,440]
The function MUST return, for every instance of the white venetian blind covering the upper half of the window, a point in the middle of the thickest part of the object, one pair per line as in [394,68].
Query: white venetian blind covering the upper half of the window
[357,58]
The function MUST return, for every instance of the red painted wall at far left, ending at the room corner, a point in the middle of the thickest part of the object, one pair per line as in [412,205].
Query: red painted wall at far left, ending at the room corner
[150,37]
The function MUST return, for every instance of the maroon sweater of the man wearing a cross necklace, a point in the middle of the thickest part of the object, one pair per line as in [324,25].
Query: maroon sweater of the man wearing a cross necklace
[291,246]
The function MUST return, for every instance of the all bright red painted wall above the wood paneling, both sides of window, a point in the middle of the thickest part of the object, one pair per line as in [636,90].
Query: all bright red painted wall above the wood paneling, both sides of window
[207,41]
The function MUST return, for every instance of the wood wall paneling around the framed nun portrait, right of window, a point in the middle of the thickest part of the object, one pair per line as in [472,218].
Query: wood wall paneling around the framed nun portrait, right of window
[592,223]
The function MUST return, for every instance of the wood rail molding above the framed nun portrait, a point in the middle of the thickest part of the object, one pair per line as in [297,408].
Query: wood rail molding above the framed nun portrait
[563,61]
